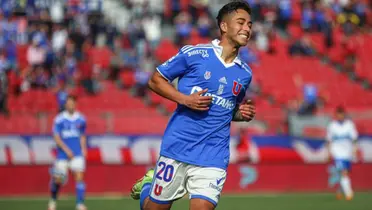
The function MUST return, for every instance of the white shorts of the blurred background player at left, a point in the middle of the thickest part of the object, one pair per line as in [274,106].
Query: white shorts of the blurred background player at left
[61,167]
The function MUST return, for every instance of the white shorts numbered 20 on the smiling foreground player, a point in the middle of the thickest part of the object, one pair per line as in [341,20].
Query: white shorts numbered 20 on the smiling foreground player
[173,179]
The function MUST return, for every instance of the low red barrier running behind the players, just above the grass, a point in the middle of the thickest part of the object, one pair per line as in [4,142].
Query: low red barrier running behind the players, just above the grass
[33,180]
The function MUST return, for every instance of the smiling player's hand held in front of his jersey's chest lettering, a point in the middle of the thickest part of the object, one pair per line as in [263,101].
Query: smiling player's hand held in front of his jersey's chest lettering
[197,101]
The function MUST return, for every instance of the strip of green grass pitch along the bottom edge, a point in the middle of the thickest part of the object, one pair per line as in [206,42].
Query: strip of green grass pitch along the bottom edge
[300,201]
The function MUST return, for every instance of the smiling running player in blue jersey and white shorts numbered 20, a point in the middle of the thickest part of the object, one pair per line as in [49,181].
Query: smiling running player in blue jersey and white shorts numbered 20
[195,149]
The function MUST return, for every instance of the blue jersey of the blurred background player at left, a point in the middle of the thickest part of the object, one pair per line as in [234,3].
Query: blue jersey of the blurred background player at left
[70,128]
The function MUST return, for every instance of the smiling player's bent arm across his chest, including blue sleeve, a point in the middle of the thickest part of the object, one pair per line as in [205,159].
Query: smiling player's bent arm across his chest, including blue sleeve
[173,68]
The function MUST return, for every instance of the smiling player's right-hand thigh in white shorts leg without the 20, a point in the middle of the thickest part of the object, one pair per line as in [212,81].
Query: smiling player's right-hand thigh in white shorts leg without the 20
[204,185]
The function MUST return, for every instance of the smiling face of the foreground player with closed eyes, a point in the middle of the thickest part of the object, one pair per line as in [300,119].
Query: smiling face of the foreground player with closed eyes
[239,27]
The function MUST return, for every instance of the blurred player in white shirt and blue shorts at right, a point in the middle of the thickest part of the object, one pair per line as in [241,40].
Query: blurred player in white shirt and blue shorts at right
[341,138]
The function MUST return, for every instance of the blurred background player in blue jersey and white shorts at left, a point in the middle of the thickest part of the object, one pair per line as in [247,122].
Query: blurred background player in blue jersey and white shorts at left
[69,135]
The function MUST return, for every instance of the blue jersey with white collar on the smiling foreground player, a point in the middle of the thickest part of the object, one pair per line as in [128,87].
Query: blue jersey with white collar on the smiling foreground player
[202,138]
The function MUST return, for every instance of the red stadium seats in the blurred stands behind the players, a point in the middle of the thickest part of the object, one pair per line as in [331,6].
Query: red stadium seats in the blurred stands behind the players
[279,75]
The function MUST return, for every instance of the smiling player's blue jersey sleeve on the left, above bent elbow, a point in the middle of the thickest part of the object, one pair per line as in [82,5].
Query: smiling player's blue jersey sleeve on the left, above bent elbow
[174,67]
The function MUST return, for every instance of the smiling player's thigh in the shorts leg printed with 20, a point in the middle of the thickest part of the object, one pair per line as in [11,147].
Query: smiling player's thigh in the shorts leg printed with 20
[169,182]
